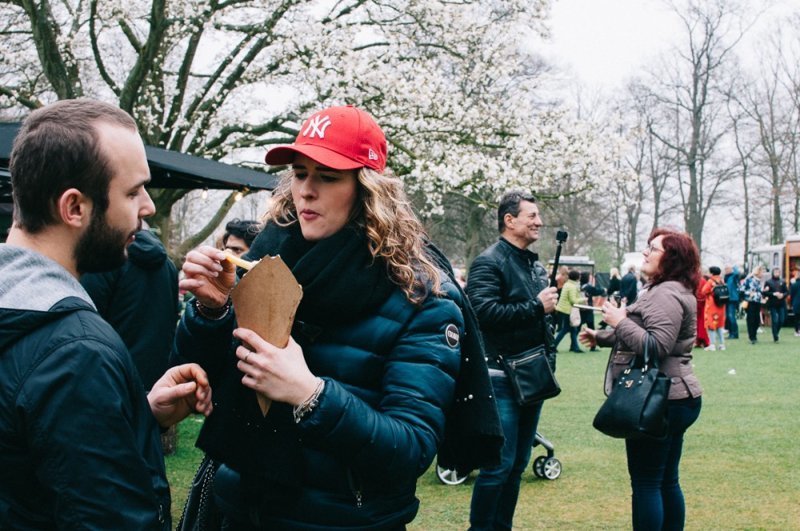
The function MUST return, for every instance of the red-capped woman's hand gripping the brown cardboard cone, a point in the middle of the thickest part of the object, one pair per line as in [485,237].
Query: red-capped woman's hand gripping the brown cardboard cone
[280,374]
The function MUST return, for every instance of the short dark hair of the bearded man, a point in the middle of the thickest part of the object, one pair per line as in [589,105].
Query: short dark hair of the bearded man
[57,148]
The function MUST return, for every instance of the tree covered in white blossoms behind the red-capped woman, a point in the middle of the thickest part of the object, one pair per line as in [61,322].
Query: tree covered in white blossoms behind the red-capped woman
[452,83]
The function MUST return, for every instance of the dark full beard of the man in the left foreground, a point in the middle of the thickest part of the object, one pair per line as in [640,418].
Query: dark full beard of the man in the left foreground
[102,248]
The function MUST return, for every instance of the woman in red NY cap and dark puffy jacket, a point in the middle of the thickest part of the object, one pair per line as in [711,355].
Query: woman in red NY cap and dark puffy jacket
[361,390]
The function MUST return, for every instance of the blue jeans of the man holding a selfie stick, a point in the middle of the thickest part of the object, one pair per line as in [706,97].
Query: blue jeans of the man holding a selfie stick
[494,495]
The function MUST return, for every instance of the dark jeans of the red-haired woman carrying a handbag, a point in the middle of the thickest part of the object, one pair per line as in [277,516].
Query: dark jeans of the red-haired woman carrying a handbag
[657,500]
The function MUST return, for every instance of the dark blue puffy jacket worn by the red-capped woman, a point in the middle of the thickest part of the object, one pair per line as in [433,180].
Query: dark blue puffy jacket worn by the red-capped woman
[353,462]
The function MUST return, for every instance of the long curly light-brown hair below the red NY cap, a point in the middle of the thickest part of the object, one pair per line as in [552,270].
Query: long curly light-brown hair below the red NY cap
[393,231]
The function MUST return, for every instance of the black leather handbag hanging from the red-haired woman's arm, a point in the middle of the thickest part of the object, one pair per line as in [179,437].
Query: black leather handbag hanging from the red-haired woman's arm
[637,405]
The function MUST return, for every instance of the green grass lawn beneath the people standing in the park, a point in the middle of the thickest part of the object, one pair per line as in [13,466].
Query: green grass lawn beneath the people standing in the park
[740,467]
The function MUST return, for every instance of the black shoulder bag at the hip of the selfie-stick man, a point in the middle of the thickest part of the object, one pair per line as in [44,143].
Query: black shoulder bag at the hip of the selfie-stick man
[531,375]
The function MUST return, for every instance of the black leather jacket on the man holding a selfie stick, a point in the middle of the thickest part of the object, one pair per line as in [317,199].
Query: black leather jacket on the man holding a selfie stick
[502,286]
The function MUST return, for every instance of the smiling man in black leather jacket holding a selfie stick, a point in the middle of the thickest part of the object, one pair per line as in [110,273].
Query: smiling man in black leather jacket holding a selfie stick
[508,288]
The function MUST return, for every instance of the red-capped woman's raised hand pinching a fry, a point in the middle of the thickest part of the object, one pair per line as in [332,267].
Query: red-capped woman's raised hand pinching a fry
[208,276]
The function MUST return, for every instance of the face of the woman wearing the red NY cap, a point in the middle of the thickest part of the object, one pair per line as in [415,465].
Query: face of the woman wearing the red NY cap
[324,197]
